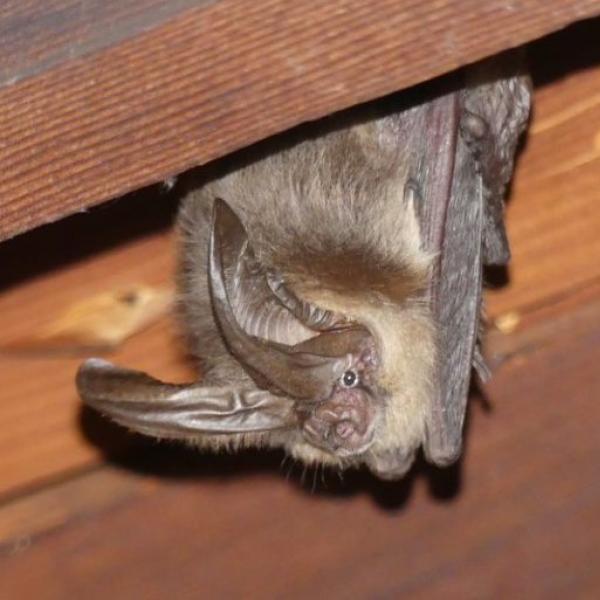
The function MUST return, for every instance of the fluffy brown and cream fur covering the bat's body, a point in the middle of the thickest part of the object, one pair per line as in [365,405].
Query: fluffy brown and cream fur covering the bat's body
[332,219]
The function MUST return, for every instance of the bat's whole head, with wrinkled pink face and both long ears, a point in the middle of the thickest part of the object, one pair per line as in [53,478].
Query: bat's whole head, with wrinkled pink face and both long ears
[317,372]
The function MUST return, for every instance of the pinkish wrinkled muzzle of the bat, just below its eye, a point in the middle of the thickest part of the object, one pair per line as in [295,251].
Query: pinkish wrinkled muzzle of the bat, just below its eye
[344,425]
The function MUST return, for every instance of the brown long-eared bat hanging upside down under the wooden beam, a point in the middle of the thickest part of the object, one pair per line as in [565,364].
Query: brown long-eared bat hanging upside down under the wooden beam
[331,286]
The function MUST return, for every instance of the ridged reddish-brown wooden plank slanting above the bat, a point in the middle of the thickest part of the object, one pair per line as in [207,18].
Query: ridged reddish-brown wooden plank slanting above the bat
[224,75]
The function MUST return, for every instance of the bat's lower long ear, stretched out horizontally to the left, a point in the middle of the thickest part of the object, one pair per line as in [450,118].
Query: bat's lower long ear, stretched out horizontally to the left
[143,404]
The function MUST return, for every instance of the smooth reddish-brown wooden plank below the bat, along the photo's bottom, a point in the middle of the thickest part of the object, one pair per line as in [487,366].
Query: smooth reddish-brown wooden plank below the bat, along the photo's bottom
[517,518]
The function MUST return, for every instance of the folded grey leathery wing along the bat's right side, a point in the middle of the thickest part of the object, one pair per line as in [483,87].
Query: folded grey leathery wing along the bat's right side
[471,136]
